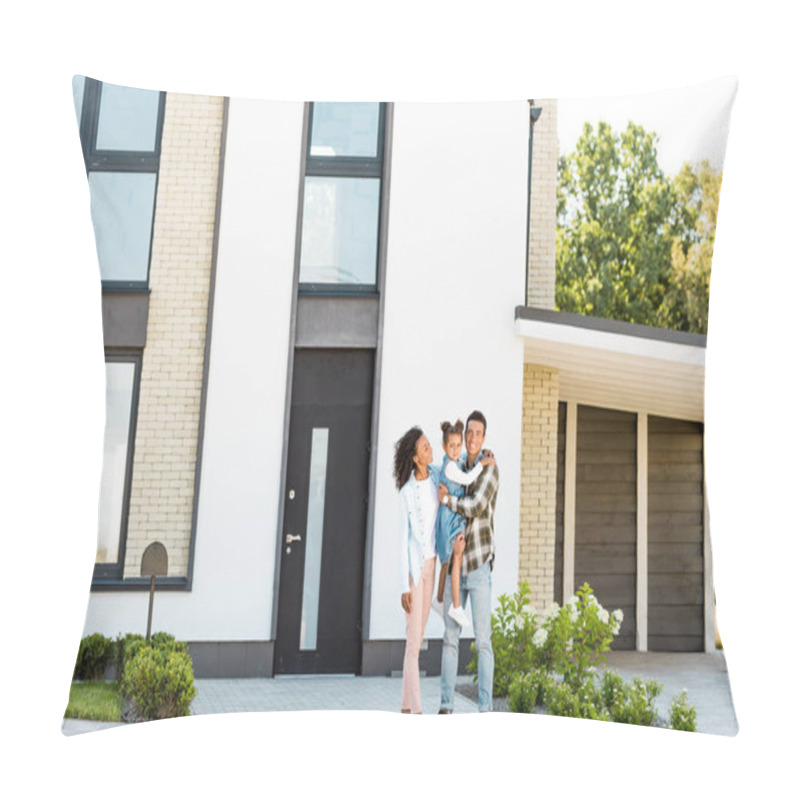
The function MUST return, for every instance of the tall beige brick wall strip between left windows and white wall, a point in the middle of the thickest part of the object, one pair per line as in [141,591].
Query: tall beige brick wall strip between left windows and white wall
[172,368]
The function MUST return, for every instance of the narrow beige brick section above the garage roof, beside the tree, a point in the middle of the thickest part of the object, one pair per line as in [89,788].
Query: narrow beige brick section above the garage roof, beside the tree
[542,240]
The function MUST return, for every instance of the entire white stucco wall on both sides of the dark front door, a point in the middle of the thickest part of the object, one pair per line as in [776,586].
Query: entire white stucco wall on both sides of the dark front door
[455,273]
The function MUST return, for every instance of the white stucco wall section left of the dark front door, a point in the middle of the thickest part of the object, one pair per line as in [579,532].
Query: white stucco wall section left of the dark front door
[234,562]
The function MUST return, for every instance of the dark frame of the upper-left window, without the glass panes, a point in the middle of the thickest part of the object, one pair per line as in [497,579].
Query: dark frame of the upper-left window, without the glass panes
[125,161]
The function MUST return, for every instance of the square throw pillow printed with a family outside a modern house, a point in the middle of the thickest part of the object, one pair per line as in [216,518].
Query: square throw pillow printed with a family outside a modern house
[288,288]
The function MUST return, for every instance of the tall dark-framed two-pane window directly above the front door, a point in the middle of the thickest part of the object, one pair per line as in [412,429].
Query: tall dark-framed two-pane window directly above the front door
[341,198]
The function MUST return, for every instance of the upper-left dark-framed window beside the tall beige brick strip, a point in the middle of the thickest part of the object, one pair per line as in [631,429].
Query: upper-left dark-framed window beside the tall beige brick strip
[120,131]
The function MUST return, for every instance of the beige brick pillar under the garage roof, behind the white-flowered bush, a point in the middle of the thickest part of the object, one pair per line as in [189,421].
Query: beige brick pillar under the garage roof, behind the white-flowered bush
[538,482]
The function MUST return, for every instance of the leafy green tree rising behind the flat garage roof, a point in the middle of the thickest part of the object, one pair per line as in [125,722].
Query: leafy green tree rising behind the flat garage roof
[631,243]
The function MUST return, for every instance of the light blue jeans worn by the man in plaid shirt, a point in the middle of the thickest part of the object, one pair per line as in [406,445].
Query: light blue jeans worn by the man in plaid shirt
[477,587]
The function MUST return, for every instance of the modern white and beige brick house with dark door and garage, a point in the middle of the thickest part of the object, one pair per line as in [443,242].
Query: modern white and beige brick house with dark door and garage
[289,287]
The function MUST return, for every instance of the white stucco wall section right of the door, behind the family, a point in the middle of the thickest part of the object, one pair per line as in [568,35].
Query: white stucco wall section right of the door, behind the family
[455,272]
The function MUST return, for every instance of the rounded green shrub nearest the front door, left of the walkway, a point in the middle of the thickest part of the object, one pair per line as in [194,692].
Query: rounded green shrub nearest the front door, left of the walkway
[158,680]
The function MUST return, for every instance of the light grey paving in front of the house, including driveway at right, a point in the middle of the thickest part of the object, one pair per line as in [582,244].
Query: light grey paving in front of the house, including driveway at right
[703,675]
